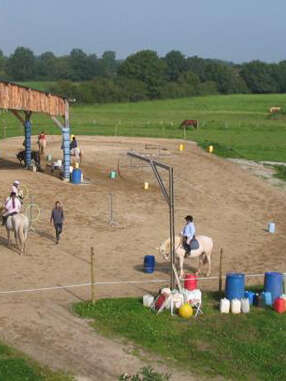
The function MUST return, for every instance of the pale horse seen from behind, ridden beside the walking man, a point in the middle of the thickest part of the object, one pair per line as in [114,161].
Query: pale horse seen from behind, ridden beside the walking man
[19,224]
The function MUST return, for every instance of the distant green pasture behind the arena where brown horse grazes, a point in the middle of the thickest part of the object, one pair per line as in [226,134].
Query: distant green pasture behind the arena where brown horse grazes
[237,125]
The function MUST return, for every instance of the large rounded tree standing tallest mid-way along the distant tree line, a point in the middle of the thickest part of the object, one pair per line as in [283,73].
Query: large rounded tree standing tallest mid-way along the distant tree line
[147,67]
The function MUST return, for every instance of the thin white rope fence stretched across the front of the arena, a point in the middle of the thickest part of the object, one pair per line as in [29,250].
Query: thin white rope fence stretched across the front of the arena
[112,283]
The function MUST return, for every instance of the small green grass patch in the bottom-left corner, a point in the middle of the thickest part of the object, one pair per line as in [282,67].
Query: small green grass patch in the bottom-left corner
[15,366]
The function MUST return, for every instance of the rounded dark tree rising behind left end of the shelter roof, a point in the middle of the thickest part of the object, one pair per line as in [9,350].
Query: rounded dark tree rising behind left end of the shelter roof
[21,65]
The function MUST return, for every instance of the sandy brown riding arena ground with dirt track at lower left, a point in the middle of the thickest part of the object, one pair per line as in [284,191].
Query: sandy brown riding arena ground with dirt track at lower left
[228,204]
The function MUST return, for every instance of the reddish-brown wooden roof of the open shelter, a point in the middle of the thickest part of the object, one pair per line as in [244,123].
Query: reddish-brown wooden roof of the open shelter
[21,98]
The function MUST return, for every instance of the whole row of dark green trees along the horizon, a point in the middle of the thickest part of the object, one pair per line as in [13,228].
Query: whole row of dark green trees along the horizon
[143,75]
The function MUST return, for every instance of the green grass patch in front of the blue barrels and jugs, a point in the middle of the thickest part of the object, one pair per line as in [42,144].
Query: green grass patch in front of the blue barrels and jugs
[238,347]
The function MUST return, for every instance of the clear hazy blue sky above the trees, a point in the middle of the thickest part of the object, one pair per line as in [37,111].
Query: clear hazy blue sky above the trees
[232,30]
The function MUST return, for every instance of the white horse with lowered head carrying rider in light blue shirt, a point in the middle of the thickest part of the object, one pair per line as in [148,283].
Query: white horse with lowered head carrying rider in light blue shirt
[204,252]
